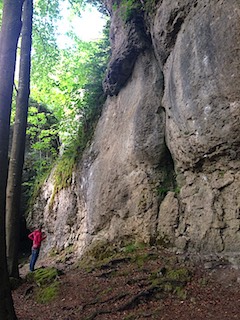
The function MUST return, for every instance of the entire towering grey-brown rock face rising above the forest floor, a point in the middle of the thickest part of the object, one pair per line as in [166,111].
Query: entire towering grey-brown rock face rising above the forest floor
[164,162]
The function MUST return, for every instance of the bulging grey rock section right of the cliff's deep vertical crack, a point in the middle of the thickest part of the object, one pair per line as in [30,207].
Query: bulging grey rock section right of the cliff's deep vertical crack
[201,100]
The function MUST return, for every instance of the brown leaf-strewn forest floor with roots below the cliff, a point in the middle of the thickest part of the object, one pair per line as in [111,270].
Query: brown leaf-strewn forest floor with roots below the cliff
[144,284]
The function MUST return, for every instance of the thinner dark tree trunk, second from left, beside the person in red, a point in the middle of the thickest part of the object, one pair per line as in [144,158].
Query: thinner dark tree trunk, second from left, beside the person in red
[18,143]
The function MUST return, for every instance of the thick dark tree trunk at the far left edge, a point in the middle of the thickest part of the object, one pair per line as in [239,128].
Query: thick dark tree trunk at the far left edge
[11,26]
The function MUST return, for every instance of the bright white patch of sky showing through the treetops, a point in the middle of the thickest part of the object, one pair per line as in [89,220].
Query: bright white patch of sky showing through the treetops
[87,27]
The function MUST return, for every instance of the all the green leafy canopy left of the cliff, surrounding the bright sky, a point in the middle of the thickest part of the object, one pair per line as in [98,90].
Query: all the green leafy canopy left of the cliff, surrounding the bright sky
[66,92]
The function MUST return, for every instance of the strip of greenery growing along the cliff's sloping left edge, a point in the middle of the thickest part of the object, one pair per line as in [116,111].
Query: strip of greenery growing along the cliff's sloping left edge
[91,107]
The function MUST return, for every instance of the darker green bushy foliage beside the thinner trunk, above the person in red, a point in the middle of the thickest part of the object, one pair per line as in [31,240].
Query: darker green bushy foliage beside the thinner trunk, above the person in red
[41,150]
